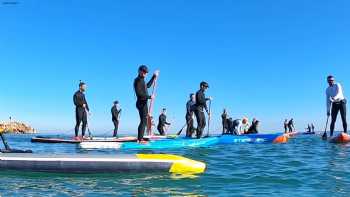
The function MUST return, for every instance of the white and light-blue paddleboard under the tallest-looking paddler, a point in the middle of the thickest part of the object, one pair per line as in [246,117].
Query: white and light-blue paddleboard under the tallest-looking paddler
[156,144]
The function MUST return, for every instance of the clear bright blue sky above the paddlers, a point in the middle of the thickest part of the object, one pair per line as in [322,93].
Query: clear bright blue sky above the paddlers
[264,59]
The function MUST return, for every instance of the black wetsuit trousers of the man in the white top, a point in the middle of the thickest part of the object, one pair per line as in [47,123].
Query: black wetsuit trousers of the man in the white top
[336,107]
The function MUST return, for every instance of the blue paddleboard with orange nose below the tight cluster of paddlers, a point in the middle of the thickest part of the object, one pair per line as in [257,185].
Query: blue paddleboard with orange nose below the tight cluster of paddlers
[253,138]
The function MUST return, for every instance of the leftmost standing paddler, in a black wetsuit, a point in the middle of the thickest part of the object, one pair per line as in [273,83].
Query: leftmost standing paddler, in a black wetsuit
[81,110]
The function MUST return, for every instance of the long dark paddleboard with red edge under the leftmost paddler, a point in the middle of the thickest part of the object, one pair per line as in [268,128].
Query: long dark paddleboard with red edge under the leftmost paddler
[73,141]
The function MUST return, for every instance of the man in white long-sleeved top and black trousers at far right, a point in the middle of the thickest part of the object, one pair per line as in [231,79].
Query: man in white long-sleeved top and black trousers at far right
[336,100]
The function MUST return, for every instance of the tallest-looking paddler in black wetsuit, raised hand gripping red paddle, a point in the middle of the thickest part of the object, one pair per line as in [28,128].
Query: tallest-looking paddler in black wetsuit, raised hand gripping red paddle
[141,92]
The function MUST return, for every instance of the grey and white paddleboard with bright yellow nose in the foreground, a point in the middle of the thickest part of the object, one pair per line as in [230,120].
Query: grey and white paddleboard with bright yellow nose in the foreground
[100,163]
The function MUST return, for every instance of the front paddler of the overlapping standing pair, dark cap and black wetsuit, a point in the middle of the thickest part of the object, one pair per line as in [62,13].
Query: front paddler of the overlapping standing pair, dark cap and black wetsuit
[201,105]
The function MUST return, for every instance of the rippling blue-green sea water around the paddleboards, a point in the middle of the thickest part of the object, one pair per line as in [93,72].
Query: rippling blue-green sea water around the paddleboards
[306,166]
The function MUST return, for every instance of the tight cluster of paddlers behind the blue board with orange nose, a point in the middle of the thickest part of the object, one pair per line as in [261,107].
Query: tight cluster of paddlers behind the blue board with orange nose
[238,126]
